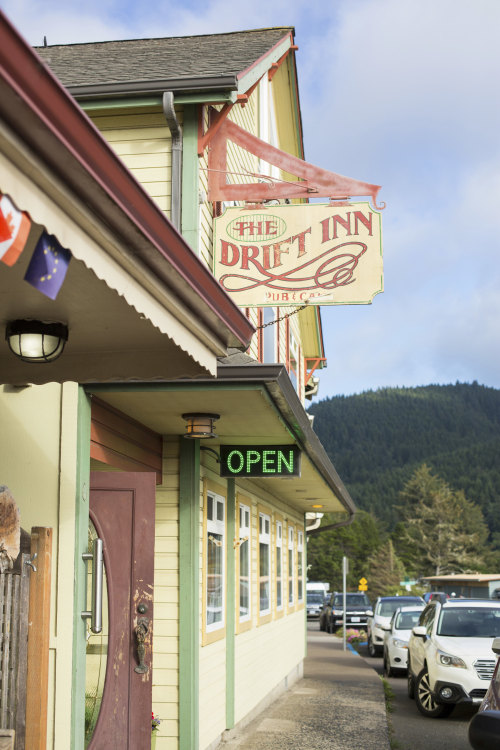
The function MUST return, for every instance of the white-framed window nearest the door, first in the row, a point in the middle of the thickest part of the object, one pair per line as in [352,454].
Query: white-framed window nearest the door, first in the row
[215,570]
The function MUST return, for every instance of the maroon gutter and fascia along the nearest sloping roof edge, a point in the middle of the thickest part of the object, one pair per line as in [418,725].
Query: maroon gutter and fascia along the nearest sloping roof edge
[52,125]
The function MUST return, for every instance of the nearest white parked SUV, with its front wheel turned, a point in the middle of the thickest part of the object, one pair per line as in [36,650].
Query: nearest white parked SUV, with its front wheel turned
[450,659]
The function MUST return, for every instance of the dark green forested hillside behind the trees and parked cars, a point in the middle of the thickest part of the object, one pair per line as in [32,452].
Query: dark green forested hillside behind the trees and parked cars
[377,440]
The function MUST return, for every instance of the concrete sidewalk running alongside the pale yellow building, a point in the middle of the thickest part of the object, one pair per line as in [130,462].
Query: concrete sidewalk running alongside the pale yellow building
[338,705]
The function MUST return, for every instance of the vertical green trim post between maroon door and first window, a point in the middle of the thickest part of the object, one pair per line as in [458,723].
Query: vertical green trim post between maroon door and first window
[189,585]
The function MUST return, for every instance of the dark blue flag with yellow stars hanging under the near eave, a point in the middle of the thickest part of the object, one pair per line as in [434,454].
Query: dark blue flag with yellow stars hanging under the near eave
[48,266]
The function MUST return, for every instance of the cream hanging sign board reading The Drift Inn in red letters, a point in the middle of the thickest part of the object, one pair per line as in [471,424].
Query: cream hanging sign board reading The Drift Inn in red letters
[324,254]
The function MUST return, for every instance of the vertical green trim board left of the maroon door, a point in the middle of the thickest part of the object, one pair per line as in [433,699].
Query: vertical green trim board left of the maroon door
[80,582]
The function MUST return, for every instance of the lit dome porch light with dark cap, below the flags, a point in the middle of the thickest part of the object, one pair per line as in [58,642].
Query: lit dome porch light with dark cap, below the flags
[36,341]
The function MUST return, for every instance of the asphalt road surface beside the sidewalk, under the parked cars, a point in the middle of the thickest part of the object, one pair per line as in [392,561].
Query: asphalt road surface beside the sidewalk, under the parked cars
[412,731]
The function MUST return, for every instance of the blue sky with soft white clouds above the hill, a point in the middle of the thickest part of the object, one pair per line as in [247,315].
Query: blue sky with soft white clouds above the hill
[401,93]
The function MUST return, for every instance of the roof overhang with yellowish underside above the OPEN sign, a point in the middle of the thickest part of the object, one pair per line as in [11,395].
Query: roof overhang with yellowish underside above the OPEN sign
[258,406]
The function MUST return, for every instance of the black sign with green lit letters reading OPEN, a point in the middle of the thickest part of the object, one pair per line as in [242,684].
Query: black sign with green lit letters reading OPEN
[259,461]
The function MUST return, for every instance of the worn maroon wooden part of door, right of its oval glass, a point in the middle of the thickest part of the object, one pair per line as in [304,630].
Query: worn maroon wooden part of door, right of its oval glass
[122,508]
